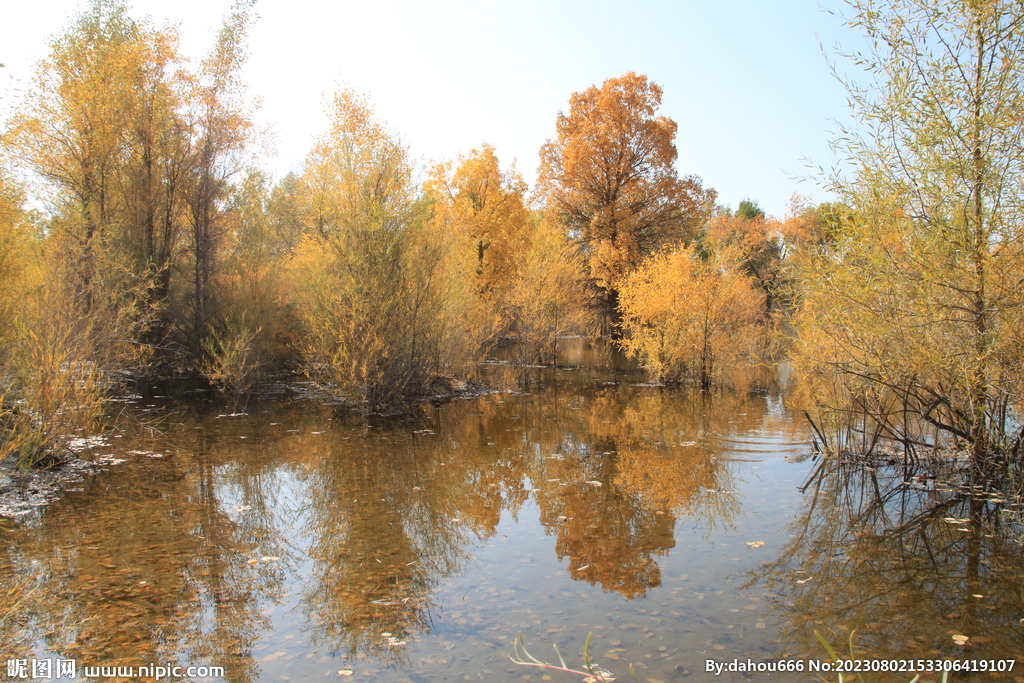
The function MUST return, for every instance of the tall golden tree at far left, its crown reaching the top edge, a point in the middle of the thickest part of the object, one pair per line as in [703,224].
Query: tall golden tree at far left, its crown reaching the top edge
[101,130]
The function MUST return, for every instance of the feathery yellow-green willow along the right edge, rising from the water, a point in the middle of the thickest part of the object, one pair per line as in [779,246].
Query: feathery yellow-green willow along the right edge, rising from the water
[917,310]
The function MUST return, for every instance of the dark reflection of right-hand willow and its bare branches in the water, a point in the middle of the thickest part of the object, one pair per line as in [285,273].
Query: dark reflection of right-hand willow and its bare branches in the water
[905,561]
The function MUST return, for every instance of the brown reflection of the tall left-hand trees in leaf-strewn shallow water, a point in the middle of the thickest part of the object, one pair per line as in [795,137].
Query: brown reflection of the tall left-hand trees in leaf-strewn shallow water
[147,565]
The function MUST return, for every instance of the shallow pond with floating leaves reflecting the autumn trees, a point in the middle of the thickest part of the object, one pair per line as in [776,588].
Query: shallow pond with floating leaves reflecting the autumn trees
[285,541]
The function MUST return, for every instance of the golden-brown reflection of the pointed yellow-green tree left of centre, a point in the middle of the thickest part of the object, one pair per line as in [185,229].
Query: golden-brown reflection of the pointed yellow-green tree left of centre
[391,518]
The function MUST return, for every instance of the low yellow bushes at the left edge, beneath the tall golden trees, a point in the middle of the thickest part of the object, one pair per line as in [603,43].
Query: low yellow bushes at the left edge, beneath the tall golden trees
[56,355]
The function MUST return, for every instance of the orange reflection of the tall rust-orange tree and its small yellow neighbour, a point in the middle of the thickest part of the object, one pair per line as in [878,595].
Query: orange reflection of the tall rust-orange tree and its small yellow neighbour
[623,486]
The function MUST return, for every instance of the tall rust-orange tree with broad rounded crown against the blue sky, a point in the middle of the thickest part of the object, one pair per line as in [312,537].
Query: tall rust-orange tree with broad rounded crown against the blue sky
[611,176]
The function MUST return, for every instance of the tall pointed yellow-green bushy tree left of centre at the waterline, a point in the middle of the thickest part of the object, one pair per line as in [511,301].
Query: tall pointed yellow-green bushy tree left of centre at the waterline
[390,305]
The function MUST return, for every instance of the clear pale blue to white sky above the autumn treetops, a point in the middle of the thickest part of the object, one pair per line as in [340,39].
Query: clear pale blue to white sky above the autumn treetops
[746,80]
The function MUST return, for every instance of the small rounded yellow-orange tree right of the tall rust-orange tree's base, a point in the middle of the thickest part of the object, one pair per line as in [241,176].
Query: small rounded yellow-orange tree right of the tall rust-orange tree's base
[690,319]
